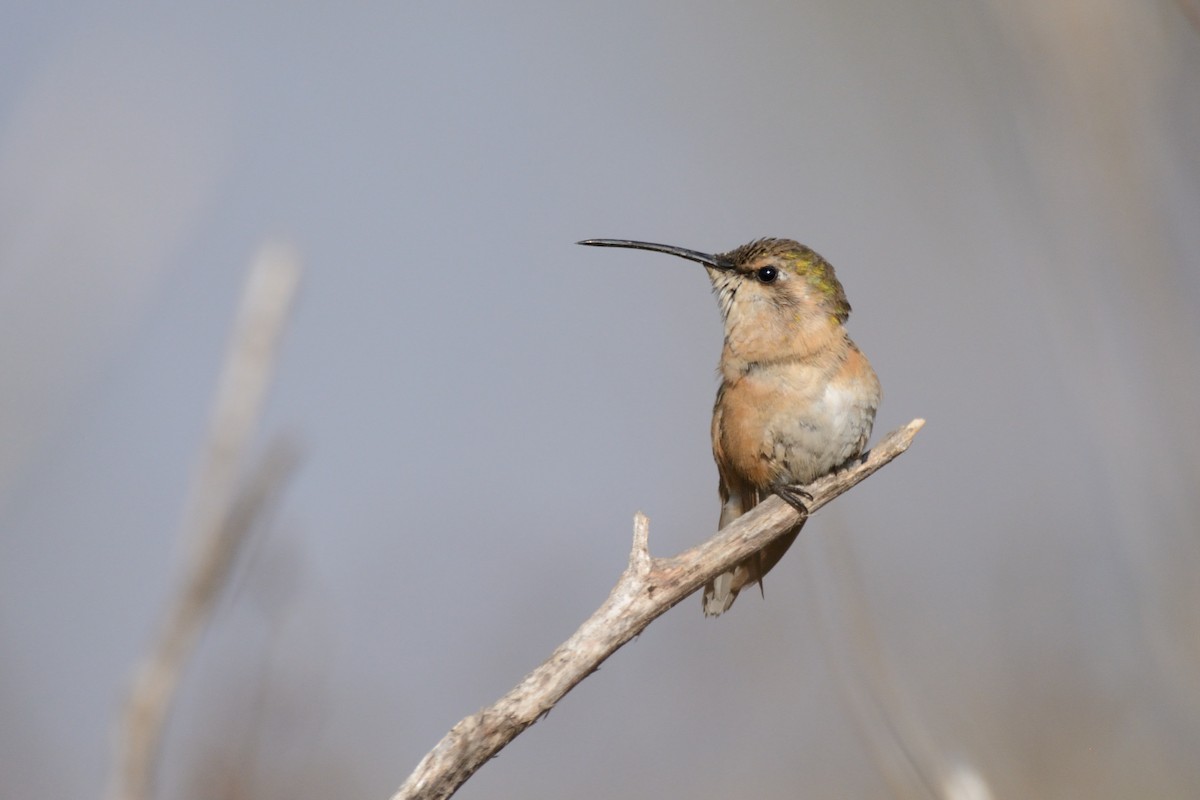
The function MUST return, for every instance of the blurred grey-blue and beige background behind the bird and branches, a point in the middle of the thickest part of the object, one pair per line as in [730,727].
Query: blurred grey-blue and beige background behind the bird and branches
[1011,195]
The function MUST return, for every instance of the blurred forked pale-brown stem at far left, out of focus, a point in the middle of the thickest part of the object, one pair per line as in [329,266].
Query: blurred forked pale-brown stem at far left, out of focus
[221,518]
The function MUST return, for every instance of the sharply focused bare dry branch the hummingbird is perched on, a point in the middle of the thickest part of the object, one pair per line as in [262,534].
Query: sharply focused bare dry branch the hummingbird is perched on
[644,593]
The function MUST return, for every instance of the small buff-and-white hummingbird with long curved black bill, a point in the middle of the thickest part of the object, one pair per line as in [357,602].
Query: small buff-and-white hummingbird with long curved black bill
[797,398]
